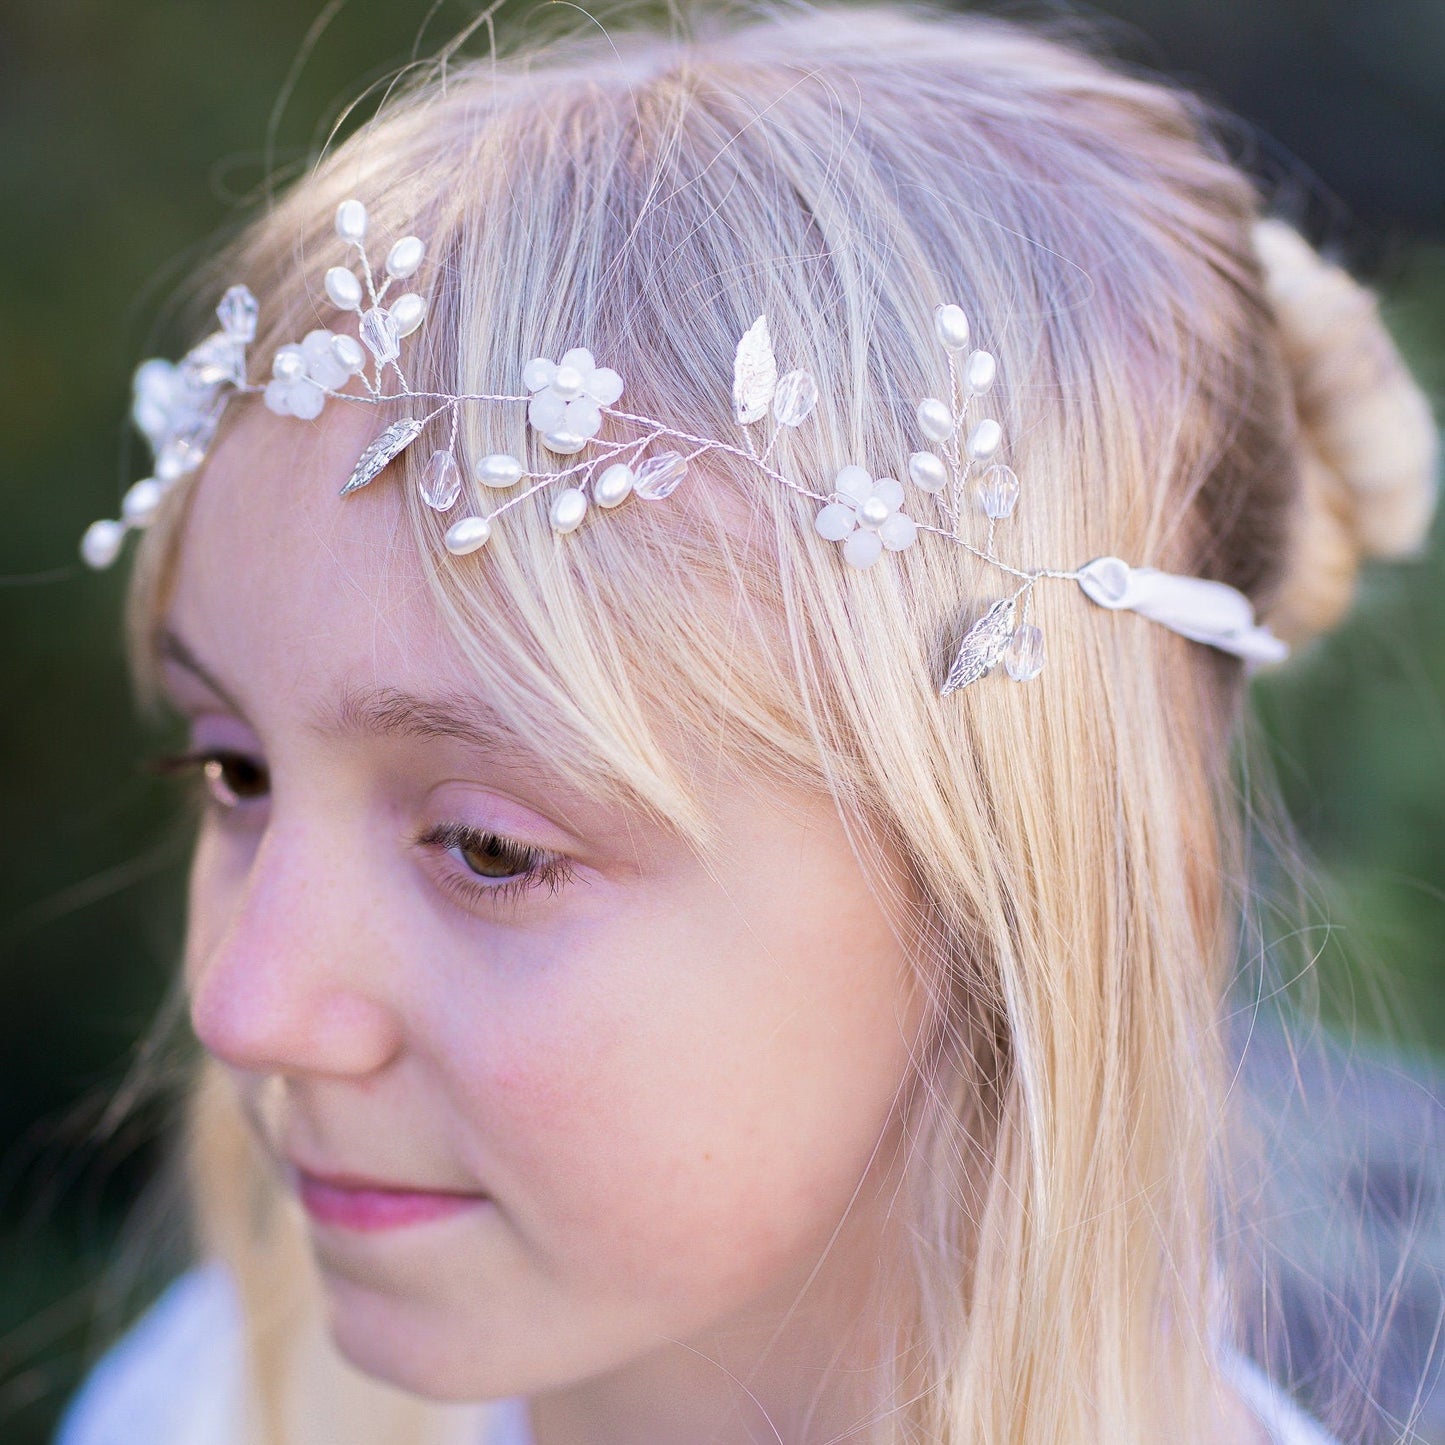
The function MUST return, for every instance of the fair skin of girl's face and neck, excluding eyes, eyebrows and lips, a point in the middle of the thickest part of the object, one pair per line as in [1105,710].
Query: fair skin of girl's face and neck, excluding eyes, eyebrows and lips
[671,1079]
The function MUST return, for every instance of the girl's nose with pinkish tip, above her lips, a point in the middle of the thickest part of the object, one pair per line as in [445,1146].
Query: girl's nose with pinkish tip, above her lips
[287,962]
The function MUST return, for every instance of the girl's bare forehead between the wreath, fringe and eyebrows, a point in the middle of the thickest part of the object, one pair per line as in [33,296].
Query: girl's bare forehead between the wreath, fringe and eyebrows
[277,570]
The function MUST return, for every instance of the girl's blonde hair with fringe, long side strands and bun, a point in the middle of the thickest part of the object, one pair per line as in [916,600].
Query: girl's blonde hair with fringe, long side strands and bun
[1174,395]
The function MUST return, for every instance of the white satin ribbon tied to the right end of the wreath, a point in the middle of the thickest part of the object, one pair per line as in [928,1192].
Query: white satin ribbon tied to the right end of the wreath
[1207,612]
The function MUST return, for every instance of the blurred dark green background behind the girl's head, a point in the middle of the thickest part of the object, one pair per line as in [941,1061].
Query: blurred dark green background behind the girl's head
[132,132]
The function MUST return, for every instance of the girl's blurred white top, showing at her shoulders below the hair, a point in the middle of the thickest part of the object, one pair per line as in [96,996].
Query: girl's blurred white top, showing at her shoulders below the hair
[176,1379]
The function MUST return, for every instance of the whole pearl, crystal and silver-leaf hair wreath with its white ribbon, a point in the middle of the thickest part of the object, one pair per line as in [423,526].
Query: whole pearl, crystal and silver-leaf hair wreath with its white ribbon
[178,408]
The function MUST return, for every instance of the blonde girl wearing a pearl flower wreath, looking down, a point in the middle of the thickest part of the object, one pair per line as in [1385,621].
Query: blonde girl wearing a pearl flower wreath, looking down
[710,923]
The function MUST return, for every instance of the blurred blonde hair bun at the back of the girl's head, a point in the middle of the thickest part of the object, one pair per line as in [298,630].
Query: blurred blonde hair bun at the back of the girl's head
[1368,441]
